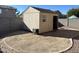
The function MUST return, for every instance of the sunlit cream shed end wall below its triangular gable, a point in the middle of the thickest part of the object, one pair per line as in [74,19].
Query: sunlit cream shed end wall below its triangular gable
[31,20]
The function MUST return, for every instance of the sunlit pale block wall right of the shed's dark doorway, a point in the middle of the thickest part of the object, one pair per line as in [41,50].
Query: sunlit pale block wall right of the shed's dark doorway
[73,23]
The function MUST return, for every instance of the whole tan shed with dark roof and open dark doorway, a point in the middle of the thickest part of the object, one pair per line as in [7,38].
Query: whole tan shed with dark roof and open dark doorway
[40,20]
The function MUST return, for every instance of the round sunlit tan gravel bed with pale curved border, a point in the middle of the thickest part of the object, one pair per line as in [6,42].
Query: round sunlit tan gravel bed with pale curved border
[35,43]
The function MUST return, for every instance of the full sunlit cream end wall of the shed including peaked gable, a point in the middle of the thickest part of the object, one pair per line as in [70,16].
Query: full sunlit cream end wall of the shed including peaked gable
[31,19]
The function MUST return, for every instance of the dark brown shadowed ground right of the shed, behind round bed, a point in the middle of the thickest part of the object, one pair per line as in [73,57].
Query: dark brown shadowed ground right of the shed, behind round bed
[63,33]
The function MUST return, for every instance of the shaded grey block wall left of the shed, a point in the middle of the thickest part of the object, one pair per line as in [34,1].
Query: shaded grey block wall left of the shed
[9,24]
